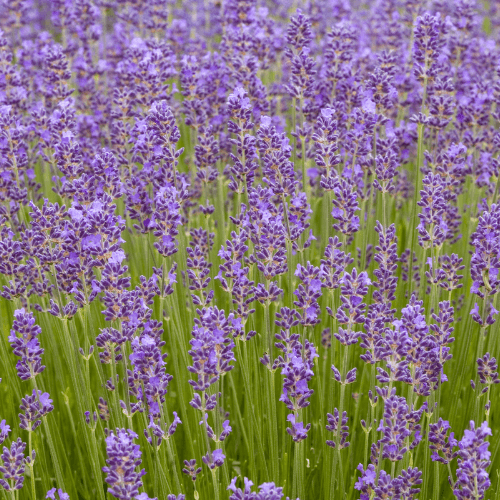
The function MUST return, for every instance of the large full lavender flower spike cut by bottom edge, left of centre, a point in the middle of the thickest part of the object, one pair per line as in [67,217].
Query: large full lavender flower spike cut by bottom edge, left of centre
[124,456]
